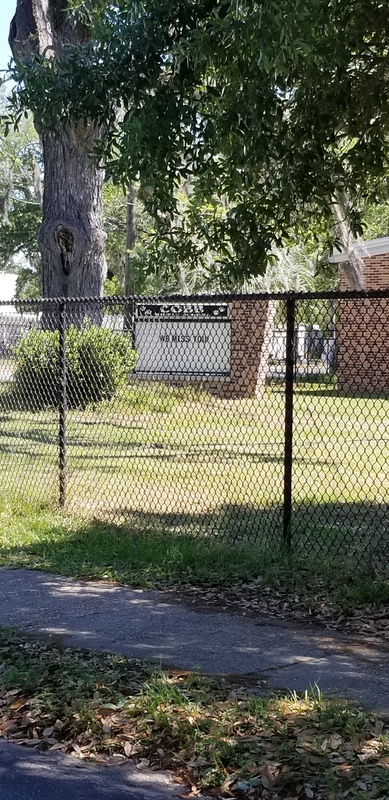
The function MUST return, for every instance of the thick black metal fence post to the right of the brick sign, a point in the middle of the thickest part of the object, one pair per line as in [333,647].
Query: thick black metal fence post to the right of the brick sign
[288,445]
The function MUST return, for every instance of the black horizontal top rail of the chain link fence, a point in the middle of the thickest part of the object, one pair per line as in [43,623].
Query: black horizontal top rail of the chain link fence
[196,298]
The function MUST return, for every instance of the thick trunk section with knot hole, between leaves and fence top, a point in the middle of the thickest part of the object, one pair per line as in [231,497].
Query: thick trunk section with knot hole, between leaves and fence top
[71,239]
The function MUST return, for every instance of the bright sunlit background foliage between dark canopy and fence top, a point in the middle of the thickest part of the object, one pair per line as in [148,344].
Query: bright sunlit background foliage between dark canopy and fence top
[182,261]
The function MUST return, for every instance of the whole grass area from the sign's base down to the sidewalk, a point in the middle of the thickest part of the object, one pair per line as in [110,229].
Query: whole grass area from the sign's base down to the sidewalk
[169,486]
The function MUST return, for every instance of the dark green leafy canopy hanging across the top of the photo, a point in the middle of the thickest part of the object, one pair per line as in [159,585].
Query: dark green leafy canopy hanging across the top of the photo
[278,106]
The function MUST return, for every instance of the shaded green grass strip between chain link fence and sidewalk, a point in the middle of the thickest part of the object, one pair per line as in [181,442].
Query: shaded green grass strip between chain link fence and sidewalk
[39,537]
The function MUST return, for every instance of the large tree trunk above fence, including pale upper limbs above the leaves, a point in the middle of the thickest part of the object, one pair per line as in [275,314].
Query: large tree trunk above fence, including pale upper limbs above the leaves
[71,239]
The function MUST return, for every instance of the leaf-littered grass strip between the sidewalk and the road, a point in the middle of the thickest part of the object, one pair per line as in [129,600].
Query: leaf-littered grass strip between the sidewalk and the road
[218,735]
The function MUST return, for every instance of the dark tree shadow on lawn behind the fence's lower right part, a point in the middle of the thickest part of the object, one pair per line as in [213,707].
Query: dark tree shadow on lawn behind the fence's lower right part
[349,531]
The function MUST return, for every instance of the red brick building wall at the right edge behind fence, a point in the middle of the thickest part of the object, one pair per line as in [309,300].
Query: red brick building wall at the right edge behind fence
[363,334]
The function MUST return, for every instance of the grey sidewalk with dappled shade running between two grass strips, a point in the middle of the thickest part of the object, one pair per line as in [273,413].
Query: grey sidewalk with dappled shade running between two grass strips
[149,624]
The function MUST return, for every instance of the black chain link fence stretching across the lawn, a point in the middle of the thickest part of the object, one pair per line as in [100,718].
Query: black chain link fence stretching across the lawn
[247,417]
